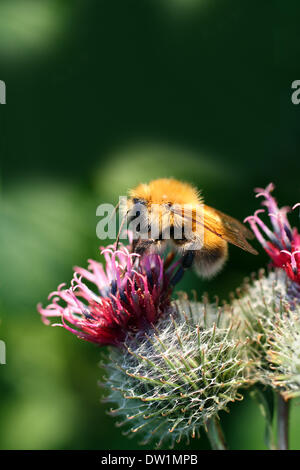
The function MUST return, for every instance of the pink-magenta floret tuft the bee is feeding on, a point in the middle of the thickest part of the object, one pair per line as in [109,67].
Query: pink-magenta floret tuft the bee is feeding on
[105,304]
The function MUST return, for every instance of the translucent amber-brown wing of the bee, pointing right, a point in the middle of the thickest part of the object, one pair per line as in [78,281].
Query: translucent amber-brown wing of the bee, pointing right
[222,225]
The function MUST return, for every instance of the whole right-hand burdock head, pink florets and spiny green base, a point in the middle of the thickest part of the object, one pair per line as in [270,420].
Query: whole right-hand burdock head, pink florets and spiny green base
[270,305]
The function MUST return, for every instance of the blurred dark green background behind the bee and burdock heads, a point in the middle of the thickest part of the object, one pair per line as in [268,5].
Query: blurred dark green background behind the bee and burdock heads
[102,95]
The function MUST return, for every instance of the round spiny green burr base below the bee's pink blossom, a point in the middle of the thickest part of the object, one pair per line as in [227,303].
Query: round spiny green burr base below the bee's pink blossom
[171,382]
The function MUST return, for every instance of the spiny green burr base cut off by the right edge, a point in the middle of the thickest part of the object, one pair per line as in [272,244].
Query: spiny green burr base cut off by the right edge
[273,324]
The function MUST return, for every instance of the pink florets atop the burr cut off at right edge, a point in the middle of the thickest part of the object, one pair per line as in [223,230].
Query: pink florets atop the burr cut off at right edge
[282,243]
